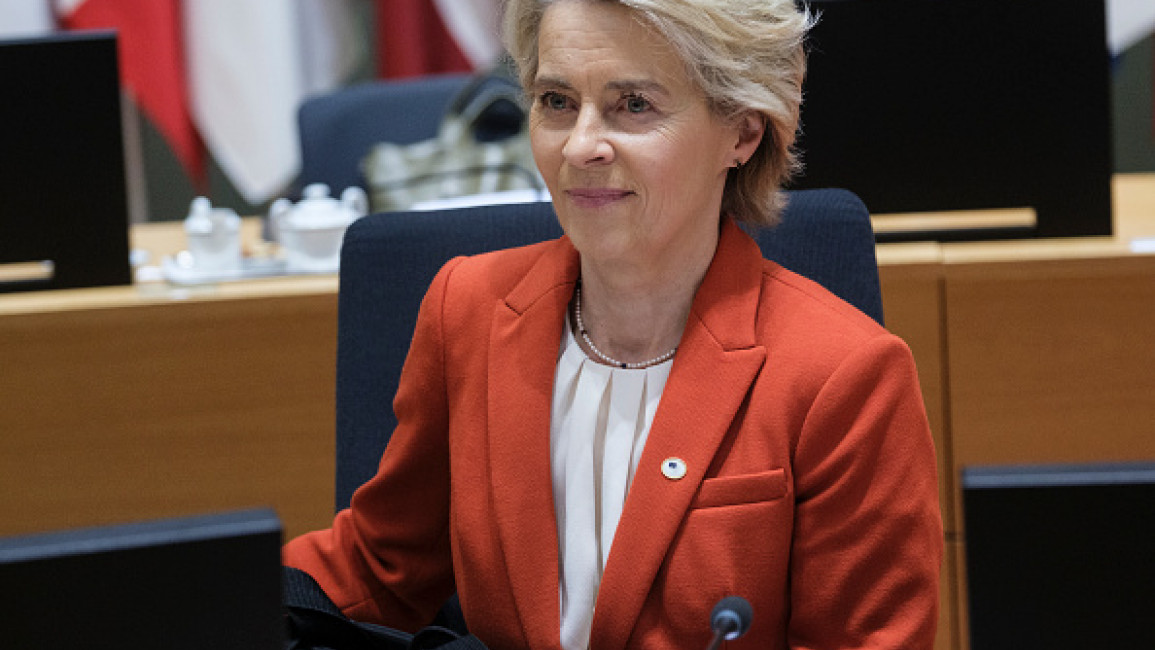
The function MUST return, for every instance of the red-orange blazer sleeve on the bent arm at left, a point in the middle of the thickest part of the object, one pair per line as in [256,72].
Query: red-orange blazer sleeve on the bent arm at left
[388,558]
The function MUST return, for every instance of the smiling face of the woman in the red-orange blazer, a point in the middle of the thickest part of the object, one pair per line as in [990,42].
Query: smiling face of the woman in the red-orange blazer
[634,156]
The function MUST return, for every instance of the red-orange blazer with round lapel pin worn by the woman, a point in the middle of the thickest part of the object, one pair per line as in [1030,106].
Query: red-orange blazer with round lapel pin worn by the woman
[811,487]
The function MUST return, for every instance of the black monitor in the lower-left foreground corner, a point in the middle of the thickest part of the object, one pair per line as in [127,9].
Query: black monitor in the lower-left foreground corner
[192,584]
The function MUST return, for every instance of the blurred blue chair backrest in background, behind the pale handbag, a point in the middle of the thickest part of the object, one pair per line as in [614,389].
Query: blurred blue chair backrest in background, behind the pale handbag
[339,129]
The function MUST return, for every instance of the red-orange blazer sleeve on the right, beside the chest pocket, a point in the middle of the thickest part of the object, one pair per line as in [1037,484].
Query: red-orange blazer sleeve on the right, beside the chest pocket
[869,536]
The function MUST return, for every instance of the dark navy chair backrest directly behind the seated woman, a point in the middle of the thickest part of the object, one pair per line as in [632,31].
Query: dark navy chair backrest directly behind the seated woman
[389,262]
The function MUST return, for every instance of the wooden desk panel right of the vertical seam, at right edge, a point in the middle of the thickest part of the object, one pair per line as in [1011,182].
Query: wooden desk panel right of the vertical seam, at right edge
[1052,362]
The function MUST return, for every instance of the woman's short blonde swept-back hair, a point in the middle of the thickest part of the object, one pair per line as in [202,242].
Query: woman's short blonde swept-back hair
[744,56]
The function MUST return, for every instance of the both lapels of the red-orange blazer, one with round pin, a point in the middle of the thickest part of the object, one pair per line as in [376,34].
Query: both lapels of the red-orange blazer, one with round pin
[691,422]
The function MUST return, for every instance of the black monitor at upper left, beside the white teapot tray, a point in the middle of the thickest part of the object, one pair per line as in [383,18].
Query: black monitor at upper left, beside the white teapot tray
[63,192]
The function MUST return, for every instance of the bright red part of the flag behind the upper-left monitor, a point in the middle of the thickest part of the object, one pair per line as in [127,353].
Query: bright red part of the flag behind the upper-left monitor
[152,65]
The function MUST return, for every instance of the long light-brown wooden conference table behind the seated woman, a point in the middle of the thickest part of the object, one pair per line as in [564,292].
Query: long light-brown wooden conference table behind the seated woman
[154,400]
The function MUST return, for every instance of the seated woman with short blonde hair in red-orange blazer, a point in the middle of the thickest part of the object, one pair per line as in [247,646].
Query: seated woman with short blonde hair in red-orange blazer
[600,437]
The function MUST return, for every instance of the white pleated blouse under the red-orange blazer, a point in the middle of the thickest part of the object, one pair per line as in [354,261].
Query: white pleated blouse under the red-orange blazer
[600,421]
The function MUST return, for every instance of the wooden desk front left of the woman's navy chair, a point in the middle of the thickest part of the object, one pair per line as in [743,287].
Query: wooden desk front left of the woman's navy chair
[161,410]
